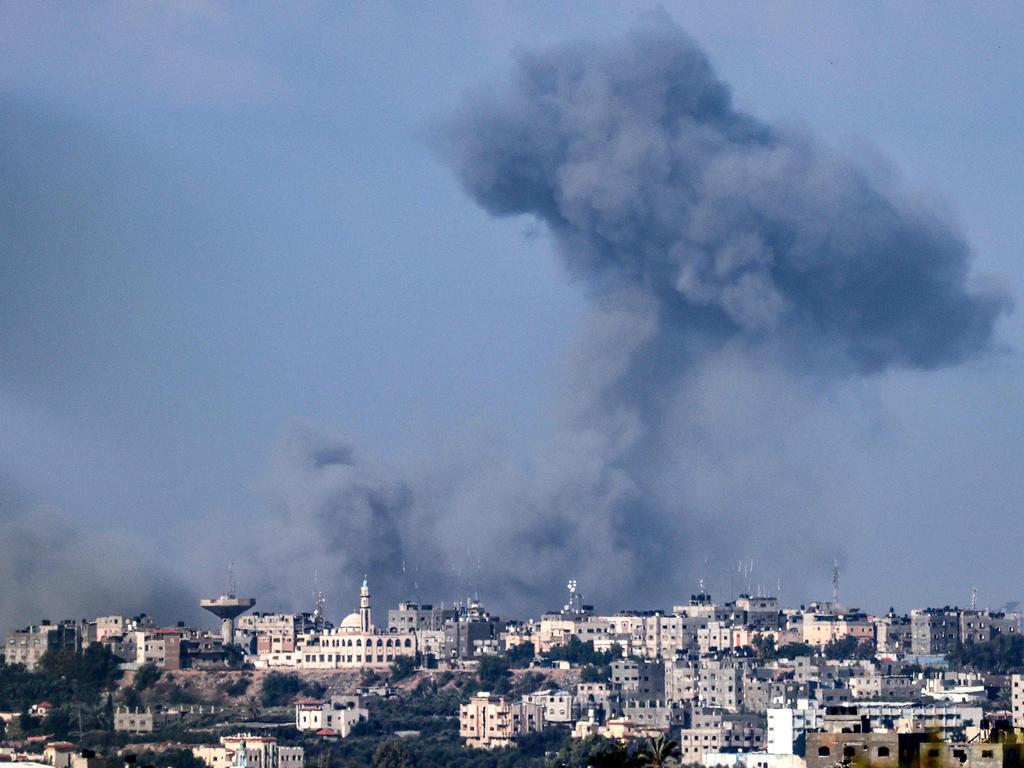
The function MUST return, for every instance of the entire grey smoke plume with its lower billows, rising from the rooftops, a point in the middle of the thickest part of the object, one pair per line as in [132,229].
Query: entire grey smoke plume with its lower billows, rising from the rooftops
[742,276]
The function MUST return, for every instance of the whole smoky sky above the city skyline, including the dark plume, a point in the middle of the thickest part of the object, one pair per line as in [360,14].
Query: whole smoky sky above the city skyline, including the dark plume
[629,300]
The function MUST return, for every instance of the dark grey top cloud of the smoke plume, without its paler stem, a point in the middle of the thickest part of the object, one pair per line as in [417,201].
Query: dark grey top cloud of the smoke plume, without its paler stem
[633,155]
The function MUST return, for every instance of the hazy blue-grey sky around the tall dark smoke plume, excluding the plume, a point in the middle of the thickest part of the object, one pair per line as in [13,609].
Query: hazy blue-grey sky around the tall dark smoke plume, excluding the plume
[225,234]
